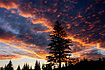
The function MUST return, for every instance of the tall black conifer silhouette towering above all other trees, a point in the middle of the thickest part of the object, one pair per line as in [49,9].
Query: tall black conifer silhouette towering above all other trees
[59,46]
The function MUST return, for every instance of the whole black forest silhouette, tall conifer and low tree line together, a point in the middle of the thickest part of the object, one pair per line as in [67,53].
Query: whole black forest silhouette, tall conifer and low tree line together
[60,51]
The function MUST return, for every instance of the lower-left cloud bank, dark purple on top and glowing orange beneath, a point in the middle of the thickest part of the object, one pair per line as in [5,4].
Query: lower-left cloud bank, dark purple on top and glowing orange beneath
[31,49]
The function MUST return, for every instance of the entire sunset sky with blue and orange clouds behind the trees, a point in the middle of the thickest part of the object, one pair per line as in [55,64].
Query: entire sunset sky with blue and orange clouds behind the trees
[25,26]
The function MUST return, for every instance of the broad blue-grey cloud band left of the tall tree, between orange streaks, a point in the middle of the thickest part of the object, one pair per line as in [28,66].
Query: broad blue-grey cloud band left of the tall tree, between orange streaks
[23,29]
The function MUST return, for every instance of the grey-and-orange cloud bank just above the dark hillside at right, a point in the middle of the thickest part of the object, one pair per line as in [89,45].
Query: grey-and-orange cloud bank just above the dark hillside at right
[90,53]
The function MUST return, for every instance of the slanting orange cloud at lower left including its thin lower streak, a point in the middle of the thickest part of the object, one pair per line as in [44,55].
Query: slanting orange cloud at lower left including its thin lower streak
[30,52]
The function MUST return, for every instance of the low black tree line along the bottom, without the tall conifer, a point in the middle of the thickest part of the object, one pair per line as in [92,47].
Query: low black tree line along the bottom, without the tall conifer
[74,64]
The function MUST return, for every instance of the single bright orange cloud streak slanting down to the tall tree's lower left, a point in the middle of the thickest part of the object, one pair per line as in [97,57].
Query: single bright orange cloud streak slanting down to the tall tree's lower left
[23,46]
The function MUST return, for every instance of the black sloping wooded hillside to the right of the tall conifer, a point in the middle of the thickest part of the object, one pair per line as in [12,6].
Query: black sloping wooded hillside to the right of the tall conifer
[85,65]
